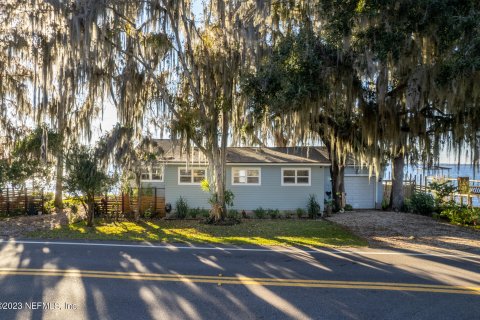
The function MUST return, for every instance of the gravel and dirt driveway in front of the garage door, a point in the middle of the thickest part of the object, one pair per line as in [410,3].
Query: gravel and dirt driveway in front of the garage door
[407,231]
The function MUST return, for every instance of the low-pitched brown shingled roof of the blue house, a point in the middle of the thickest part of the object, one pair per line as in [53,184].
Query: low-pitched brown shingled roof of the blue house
[256,155]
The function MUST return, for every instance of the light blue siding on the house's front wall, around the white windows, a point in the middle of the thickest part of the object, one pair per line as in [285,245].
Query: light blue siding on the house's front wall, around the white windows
[270,194]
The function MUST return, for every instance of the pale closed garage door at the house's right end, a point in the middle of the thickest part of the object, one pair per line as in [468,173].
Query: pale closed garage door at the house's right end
[360,192]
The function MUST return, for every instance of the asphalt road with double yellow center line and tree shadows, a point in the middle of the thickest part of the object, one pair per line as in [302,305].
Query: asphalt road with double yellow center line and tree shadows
[81,280]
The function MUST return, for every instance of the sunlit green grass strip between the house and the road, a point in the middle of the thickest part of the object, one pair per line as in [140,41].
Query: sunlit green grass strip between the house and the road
[253,232]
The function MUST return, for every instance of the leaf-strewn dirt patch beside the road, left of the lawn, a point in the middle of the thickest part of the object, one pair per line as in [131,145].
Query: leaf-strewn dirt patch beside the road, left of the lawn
[15,227]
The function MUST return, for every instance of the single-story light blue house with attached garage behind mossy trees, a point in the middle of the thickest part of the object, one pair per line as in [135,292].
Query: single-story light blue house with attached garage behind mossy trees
[274,178]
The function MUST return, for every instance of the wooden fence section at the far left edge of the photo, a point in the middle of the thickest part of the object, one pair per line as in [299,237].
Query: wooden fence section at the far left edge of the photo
[21,201]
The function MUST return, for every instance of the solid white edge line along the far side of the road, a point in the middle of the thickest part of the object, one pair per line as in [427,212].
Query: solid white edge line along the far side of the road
[270,249]
